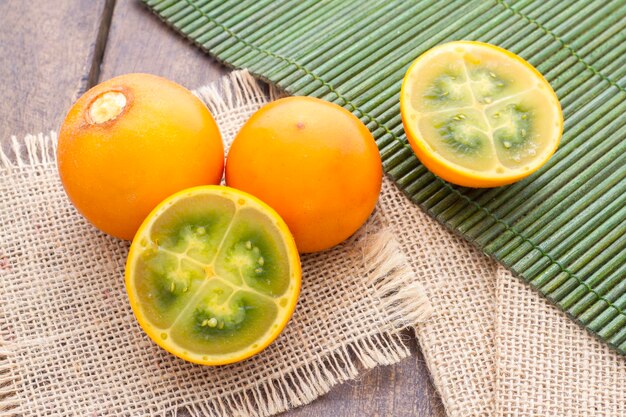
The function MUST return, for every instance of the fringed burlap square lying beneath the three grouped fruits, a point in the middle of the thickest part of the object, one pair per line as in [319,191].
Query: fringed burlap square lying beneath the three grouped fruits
[70,346]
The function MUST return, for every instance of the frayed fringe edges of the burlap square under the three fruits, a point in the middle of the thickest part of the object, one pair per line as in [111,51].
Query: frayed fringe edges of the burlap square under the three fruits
[390,278]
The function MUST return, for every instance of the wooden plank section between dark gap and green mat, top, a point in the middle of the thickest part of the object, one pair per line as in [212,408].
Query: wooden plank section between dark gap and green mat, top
[139,42]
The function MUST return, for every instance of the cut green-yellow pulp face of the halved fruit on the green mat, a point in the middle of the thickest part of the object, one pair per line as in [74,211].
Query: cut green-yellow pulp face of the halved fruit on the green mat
[483,110]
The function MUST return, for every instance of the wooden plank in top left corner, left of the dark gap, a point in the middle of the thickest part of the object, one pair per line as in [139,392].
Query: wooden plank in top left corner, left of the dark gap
[49,54]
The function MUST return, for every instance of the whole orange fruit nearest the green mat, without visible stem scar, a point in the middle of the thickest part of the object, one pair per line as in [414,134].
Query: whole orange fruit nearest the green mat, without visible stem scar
[312,161]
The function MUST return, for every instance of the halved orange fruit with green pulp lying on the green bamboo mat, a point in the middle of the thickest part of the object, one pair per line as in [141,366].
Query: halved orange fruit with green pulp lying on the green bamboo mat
[478,115]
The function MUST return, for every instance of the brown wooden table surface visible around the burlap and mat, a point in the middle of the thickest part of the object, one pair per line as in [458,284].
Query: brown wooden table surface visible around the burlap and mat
[53,51]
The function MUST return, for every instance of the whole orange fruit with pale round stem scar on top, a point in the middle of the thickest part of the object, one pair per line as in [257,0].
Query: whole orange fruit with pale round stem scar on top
[131,141]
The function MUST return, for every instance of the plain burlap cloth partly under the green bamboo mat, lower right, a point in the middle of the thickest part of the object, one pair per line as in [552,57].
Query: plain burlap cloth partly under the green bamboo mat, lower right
[494,346]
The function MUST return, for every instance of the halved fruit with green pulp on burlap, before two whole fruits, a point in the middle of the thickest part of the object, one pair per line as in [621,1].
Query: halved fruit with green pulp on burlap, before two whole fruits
[213,275]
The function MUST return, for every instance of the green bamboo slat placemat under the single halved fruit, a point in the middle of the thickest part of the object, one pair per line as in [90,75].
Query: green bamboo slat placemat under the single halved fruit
[563,229]
